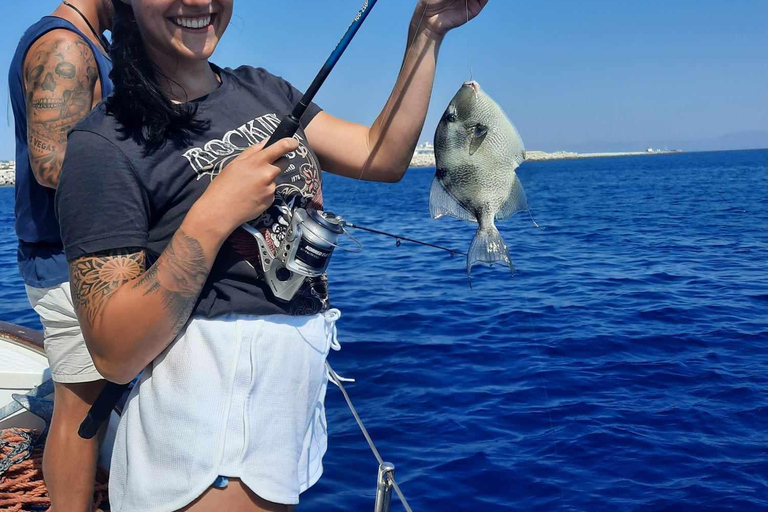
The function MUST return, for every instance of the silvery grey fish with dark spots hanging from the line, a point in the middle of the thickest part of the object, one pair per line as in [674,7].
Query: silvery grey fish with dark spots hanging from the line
[477,150]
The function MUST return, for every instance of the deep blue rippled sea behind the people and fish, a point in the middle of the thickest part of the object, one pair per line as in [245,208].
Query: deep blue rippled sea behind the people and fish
[624,368]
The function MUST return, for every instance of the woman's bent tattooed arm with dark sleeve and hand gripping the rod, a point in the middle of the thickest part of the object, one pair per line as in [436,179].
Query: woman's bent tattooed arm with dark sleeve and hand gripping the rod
[129,315]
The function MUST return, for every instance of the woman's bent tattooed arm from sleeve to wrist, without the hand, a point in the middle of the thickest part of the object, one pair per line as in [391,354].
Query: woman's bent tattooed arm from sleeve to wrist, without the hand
[129,314]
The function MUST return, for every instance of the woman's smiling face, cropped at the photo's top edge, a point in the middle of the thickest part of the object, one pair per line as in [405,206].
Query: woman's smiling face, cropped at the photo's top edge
[181,29]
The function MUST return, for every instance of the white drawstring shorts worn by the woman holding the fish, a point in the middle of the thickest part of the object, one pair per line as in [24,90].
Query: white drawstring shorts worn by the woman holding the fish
[239,397]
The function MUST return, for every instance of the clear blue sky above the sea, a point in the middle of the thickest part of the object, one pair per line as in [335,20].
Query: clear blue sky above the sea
[586,75]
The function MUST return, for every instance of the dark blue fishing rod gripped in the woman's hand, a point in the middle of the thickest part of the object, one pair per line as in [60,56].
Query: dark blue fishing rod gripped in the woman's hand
[289,125]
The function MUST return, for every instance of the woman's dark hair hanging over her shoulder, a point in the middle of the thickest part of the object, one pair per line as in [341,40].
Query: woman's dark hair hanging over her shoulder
[146,115]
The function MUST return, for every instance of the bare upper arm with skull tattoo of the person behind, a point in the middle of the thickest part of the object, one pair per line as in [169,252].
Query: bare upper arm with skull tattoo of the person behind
[60,81]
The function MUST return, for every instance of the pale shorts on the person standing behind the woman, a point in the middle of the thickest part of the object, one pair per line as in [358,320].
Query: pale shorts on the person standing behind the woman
[65,347]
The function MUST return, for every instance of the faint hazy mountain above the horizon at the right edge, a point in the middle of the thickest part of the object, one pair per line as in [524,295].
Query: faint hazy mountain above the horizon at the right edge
[748,139]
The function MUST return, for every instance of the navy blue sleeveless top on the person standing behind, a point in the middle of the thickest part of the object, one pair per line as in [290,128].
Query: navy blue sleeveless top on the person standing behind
[40,254]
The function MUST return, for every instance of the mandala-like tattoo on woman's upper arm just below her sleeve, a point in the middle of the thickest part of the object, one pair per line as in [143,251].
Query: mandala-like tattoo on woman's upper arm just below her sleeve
[96,277]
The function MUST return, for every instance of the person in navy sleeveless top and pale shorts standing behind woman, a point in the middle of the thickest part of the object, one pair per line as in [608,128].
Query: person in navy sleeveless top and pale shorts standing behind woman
[59,72]
